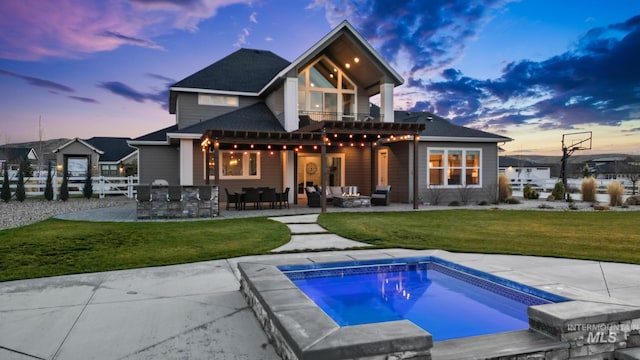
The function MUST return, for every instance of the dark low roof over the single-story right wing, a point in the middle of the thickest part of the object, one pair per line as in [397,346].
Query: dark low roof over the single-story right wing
[440,129]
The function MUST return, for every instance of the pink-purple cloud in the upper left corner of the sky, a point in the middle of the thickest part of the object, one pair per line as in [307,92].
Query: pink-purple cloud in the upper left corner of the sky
[33,30]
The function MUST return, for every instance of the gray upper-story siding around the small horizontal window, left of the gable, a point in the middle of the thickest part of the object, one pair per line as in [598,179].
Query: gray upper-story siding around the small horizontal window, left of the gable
[190,113]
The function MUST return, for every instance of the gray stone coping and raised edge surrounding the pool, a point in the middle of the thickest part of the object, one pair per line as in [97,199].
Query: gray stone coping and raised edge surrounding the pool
[299,329]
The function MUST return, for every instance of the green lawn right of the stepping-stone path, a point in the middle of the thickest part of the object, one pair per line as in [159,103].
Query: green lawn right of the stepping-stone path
[606,236]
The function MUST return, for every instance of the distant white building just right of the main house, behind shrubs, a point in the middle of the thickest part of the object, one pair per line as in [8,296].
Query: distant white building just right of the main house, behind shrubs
[521,172]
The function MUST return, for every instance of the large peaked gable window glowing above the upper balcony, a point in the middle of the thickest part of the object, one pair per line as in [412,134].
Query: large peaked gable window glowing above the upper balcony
[325,92]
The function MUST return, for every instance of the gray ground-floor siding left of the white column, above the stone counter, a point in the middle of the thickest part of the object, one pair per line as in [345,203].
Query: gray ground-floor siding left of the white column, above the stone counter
[159,162]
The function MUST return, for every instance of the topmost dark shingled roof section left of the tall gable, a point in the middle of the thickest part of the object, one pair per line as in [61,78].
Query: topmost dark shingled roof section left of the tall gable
[246,70]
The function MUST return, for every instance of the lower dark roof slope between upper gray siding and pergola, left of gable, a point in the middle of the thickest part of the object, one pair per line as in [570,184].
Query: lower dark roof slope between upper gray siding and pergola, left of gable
[256,117]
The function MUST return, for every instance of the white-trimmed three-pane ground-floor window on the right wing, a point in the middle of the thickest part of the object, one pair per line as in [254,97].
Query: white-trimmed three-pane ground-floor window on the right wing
[454,167]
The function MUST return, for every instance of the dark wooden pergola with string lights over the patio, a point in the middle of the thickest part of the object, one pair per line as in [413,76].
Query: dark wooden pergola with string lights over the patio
[318,135]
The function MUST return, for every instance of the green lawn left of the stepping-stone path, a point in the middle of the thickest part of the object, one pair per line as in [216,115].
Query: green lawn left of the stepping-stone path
[58,247]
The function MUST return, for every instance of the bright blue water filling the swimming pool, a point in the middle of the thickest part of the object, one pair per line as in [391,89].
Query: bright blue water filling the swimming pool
[446,302]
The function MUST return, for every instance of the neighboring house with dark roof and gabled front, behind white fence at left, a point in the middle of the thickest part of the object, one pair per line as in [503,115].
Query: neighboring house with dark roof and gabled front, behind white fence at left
[106,156]
